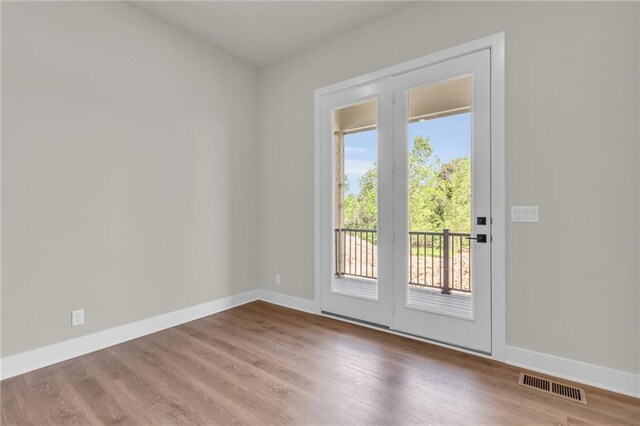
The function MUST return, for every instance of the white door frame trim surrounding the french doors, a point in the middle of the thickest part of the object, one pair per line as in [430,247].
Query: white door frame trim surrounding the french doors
[495,43]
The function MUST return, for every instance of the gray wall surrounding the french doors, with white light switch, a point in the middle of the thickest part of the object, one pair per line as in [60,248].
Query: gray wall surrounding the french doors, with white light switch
[572,148]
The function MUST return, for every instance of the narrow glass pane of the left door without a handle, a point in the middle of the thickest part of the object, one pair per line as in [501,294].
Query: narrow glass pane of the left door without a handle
[356,198]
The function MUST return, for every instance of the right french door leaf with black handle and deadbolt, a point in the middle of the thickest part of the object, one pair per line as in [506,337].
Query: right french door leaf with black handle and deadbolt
[442,280]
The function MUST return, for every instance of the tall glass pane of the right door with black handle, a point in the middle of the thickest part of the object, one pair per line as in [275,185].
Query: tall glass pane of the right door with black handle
[439,173]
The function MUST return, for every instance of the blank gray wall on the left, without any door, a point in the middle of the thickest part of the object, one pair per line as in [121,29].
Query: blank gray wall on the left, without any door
[128,183]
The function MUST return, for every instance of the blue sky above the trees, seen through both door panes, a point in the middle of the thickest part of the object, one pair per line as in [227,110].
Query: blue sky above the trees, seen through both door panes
[450,138]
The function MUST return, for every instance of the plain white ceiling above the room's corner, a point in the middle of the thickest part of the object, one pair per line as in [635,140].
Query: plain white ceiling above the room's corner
[264,32]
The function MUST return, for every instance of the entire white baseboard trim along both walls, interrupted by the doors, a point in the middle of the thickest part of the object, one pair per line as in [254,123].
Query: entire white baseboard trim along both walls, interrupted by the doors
[581,372]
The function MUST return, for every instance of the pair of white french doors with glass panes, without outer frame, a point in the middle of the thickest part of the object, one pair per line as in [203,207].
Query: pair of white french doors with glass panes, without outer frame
[405,196]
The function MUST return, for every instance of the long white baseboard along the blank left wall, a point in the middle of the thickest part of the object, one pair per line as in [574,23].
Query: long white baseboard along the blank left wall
[23,362]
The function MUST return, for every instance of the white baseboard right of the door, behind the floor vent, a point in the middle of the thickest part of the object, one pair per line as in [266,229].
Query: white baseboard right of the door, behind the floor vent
[593,375]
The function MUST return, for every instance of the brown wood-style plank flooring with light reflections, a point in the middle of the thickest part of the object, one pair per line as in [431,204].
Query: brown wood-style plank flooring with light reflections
[263,364]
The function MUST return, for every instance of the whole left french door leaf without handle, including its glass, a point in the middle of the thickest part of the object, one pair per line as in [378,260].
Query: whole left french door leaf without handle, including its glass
[356,129]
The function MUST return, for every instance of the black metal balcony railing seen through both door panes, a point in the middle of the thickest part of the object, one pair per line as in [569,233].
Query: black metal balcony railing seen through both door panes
[436,259]
